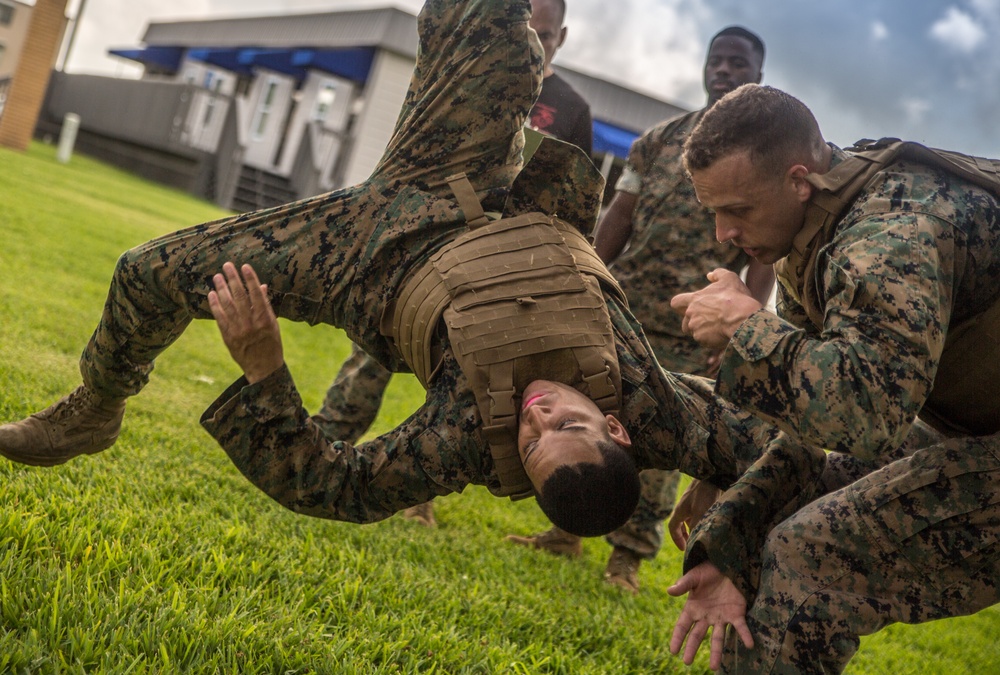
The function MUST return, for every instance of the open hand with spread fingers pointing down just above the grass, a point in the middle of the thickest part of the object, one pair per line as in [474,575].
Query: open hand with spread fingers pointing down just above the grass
[714,602]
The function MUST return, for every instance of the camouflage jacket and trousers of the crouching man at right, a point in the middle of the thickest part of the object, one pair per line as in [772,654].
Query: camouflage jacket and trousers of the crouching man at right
[915,539]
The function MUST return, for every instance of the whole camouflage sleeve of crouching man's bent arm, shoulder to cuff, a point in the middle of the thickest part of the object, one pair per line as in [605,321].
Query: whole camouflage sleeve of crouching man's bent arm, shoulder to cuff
[857,385]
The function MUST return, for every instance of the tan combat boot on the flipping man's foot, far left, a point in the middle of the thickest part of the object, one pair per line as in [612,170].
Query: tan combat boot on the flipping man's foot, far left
[81,423]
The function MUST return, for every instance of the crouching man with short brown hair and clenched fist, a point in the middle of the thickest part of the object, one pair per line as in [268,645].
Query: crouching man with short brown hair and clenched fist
[906,526]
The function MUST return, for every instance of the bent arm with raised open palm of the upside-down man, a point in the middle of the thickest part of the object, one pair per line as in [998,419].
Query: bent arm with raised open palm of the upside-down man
[262,425]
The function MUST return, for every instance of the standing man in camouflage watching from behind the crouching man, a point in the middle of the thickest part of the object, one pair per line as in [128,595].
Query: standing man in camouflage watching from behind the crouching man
[671,247]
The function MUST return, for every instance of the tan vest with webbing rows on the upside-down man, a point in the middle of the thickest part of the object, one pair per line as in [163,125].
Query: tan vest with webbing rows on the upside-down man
[522,301]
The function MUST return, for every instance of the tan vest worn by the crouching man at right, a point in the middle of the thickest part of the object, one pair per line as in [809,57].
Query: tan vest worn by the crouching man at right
[966,393]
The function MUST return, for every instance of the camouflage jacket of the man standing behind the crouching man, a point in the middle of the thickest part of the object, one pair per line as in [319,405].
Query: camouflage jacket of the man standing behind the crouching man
[673,243]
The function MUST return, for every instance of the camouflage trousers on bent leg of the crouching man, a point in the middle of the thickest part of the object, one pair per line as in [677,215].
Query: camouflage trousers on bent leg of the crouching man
[914,541]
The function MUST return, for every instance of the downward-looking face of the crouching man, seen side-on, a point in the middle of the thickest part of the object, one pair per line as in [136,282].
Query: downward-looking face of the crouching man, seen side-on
[757,212]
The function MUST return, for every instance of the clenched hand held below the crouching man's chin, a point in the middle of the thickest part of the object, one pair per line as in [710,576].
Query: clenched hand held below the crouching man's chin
[712,315]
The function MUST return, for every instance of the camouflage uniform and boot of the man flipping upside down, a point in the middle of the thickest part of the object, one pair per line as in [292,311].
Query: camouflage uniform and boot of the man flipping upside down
[339,257]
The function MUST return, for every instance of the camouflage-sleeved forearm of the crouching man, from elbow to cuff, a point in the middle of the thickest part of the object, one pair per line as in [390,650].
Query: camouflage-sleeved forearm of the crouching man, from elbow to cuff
[846,392]
